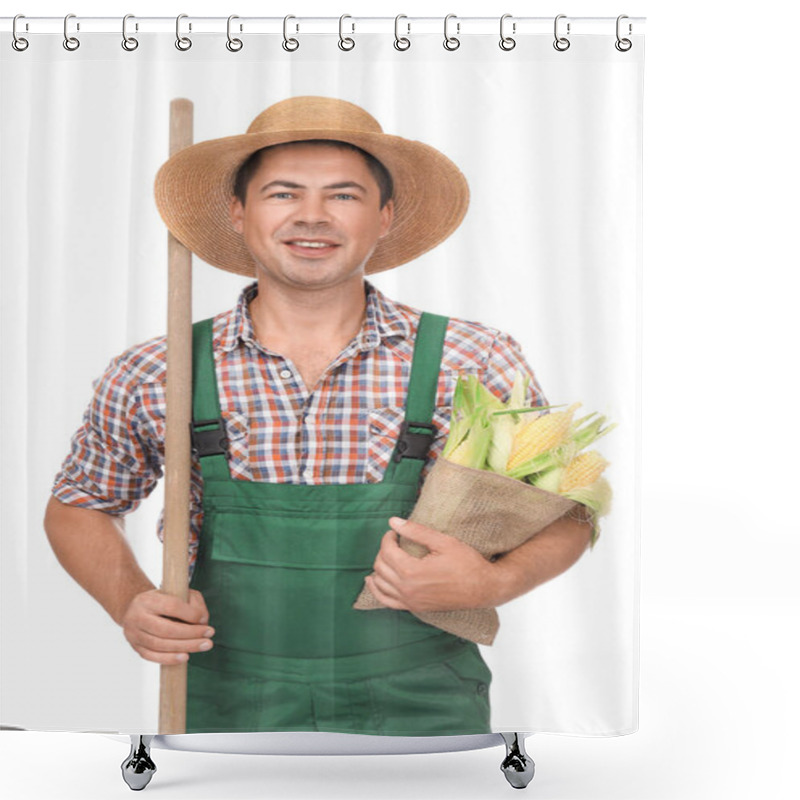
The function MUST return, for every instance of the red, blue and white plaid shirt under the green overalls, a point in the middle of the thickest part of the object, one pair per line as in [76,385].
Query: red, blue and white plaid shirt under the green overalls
[341,431]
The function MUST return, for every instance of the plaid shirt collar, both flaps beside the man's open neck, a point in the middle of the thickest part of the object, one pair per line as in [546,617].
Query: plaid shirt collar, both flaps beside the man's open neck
[384,319]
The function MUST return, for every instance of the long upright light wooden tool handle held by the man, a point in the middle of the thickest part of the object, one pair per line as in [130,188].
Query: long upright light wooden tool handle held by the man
[177,454]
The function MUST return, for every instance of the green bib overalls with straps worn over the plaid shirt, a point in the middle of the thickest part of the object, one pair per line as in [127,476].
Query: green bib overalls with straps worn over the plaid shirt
[280,566]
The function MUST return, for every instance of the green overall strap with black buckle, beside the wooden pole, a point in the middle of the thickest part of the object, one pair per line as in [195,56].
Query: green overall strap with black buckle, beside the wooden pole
[209,441]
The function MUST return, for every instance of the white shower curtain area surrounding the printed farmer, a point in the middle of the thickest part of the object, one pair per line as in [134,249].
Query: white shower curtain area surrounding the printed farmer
[547,133]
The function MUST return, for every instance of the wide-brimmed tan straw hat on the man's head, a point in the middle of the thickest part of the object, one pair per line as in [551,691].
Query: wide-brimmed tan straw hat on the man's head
[193,189]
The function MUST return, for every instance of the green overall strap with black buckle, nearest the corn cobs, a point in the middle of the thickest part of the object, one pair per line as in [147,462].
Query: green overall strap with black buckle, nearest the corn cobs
[417,431]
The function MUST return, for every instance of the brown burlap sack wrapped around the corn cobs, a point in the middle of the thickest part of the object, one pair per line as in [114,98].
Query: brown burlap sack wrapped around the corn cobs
[487,511]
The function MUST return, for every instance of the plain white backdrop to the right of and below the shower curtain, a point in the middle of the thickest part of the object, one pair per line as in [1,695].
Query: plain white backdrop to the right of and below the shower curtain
[719,535]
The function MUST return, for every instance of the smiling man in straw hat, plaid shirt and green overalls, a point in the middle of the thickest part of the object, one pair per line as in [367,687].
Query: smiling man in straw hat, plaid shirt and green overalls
[333,400]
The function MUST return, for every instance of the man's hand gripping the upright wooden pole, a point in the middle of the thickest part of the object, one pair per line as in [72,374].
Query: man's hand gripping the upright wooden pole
[164,629]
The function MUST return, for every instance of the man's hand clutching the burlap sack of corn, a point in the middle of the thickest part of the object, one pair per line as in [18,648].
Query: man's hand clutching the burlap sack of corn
[452,575]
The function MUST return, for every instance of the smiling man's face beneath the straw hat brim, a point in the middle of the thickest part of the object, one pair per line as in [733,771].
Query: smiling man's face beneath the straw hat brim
[312,215]
